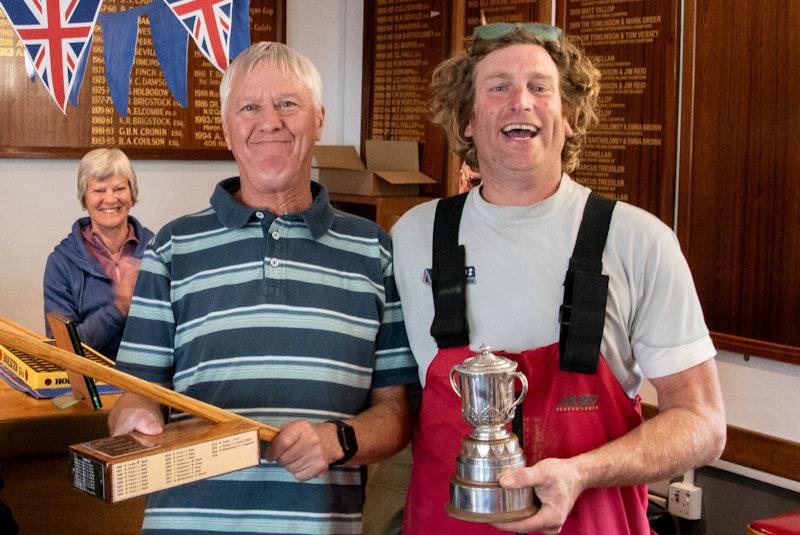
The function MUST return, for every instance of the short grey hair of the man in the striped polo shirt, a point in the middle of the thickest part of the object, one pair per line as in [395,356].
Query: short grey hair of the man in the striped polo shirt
[279,55]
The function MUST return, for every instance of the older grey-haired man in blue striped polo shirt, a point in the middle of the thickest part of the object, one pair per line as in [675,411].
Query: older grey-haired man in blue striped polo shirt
[276,306]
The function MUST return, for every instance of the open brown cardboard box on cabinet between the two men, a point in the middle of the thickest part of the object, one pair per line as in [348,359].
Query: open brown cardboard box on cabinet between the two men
[392,169]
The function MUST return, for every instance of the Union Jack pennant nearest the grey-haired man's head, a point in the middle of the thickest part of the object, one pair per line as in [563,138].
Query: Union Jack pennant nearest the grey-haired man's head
[209,24]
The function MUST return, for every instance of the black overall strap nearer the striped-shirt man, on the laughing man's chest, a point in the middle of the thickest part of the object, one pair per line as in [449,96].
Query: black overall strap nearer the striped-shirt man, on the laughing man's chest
[448,276]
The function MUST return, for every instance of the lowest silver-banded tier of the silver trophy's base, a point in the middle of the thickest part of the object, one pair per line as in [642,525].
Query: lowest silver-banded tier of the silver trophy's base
[481,502]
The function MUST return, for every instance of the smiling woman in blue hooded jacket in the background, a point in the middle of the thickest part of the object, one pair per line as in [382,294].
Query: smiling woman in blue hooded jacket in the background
[91,274]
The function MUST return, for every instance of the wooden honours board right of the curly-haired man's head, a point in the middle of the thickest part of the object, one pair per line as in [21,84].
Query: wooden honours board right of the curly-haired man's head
[631,155]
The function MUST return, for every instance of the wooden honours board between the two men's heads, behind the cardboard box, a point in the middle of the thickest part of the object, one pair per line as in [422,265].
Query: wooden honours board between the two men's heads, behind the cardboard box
[404,41]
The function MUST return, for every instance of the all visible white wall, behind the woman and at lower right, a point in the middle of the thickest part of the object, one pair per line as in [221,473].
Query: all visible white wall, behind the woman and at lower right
[38,206]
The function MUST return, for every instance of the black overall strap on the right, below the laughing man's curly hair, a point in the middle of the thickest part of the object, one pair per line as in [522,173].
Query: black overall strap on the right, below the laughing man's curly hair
[582,314]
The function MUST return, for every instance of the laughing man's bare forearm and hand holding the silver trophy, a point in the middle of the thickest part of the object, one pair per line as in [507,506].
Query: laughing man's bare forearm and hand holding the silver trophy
[688,432]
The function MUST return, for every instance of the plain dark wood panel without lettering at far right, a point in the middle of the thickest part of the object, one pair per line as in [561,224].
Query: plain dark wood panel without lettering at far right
[739,202]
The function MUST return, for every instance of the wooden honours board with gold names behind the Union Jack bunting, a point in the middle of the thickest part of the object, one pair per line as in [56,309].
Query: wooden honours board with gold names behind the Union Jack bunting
[156,125]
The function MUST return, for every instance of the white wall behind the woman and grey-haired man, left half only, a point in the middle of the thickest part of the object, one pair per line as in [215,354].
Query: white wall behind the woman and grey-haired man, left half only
[38,201]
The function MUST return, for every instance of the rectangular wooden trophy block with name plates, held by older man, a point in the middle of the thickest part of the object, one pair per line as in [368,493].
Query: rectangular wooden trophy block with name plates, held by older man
[126,466]
